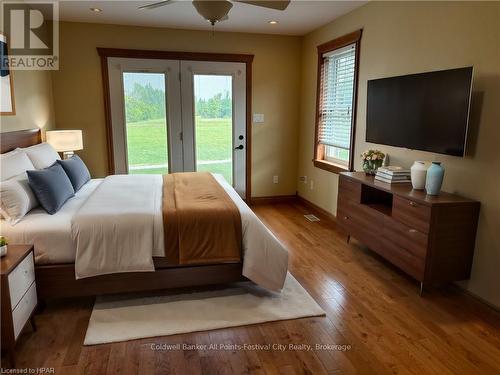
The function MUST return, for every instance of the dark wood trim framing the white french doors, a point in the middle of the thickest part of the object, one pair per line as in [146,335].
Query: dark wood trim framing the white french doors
[106,53]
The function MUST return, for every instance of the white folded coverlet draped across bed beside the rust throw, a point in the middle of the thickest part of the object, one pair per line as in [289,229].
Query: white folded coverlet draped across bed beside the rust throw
[114,230]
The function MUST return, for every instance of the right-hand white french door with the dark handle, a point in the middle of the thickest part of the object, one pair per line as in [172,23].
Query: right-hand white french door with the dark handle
[214,119]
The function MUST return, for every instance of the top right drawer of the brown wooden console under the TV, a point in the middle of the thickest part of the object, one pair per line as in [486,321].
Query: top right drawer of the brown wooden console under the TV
[411,213]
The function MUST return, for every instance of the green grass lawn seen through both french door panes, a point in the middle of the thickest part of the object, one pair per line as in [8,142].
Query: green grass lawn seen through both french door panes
[147,146]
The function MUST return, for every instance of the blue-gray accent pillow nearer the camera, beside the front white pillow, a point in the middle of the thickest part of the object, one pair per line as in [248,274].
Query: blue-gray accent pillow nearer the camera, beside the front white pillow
[51,186]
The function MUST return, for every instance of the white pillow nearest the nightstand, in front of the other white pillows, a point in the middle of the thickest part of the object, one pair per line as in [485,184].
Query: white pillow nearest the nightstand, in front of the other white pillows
[17,198]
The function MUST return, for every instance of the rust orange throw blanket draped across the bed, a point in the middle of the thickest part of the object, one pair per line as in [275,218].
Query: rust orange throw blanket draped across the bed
[201,223]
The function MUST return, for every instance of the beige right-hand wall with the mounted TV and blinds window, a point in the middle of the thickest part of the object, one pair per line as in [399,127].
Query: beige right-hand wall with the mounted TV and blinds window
[406,37]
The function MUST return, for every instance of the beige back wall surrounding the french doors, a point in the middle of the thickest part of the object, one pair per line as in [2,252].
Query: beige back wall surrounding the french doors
[78,94]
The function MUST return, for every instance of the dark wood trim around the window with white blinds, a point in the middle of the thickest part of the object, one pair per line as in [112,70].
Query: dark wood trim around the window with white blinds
[319,150]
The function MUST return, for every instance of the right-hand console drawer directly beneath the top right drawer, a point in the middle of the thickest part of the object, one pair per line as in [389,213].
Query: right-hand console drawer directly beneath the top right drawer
[407,237]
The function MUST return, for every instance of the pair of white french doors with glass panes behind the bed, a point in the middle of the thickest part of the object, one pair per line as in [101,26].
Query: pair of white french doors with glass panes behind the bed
[174,116]
